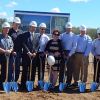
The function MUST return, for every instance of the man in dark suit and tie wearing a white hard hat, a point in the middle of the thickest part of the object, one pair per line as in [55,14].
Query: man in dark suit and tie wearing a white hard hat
[30,43]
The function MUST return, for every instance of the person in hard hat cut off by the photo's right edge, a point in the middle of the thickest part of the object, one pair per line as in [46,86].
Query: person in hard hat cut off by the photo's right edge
[96,52]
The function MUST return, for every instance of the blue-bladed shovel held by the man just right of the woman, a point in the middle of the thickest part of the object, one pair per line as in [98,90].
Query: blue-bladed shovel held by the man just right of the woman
[63,85]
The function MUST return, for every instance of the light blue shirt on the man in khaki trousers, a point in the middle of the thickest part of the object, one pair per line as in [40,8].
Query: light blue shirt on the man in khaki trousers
[84,44]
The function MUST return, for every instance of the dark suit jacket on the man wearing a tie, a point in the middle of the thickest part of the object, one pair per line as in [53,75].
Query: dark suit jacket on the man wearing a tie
[28,45]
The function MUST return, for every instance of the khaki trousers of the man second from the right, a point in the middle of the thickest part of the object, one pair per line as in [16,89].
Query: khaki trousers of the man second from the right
[78,67]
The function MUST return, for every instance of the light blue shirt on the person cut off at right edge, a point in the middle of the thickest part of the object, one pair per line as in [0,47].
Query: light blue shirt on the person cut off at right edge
[96,47]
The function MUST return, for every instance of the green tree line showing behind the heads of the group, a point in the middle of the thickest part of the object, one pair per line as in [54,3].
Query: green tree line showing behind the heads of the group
[90,31]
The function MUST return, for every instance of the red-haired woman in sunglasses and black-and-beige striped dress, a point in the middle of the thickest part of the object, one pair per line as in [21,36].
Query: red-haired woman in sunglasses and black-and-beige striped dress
[54,47]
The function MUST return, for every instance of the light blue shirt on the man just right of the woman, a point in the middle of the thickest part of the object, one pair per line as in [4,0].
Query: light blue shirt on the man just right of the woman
[70,42]
